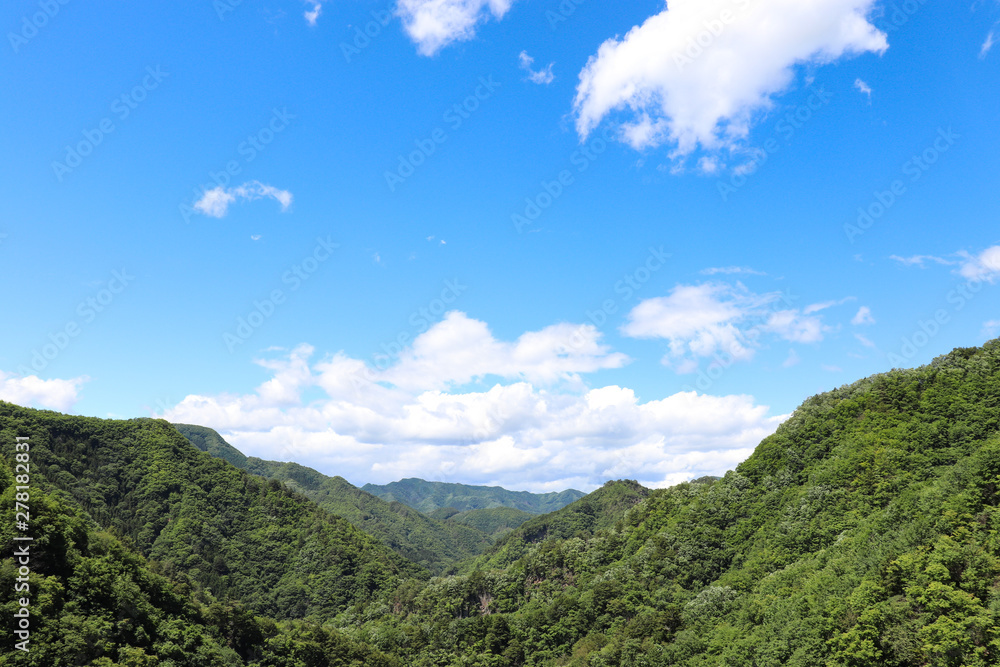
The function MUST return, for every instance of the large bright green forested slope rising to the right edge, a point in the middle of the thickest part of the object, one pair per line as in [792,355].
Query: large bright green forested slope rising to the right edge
[865,531]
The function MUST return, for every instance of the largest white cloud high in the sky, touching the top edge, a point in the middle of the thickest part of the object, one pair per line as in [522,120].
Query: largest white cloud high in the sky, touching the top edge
[701,72]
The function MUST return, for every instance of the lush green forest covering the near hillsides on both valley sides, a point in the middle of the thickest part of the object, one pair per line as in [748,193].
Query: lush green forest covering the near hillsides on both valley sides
[865,531]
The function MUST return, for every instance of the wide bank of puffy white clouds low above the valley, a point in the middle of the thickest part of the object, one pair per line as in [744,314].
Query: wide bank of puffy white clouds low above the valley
[532,433]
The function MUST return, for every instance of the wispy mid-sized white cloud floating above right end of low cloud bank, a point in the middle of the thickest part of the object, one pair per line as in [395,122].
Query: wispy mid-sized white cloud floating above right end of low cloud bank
[720,320]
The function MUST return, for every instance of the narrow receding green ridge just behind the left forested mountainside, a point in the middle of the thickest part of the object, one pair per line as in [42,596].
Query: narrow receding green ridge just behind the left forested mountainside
[435,545]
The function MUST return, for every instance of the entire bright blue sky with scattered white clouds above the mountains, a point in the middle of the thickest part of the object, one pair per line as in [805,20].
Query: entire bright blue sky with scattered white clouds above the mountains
[532,244]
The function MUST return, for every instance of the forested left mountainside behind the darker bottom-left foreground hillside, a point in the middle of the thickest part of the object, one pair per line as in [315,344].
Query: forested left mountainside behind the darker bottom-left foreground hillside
[229,532]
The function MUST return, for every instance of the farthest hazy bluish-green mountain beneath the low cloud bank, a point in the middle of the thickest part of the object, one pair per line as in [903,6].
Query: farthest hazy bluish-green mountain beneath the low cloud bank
[429,496]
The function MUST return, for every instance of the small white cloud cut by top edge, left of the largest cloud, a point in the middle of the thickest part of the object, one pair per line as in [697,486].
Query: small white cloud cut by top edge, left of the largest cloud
[433,24]
